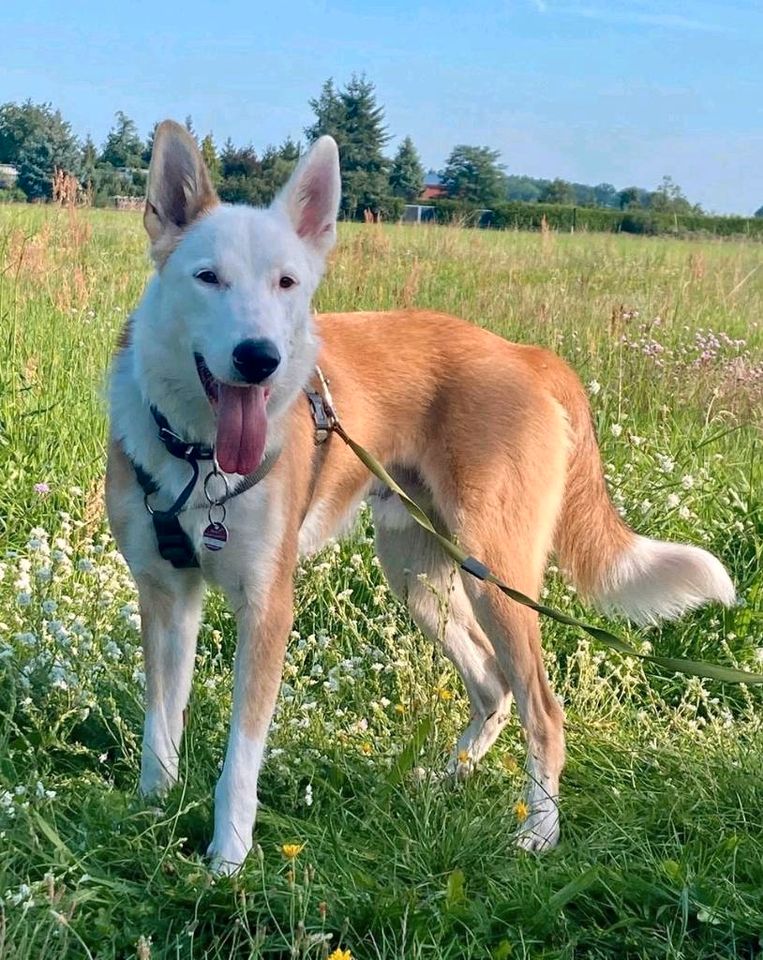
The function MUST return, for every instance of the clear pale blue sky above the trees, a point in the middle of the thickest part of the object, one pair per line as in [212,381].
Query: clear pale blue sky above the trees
[621,91]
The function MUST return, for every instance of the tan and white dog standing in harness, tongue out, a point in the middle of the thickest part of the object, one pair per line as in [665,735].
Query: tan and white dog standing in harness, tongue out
[495,439]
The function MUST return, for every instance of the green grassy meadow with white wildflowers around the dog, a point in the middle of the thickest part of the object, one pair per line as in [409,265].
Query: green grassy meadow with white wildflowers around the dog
[662,807]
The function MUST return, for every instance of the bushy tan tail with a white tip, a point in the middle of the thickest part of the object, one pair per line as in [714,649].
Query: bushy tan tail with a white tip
[646,580]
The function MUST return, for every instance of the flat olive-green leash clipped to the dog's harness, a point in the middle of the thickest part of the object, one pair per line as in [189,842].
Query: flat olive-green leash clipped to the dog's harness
[327,422]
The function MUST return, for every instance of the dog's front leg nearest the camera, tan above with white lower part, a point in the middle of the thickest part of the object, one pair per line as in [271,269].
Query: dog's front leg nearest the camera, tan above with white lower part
[263,631]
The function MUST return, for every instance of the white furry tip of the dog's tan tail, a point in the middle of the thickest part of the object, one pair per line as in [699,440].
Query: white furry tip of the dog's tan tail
[655,580]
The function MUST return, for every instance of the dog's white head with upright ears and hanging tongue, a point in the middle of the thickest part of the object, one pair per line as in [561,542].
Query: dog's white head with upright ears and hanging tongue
[233,289]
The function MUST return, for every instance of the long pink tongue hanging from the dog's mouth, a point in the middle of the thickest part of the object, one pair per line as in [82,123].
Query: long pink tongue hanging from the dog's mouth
[242,425]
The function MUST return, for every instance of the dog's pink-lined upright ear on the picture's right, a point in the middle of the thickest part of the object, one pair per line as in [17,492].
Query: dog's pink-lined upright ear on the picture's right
[311,196]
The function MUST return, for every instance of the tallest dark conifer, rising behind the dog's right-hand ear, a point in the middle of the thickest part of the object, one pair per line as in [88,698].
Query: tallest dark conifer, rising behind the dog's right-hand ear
[356,121]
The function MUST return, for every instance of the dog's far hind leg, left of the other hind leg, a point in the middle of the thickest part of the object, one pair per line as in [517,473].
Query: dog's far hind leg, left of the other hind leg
[421,574]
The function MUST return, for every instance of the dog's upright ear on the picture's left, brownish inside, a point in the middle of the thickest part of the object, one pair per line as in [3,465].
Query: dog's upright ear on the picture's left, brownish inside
[179,188]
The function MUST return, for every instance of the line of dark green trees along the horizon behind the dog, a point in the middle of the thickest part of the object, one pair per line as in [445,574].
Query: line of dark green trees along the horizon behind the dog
[37,141]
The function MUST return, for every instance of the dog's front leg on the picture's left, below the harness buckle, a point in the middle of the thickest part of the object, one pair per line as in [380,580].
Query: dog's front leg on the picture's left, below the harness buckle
[170,610]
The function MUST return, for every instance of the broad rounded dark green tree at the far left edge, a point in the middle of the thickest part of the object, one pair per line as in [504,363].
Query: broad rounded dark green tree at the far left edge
[37,140]
